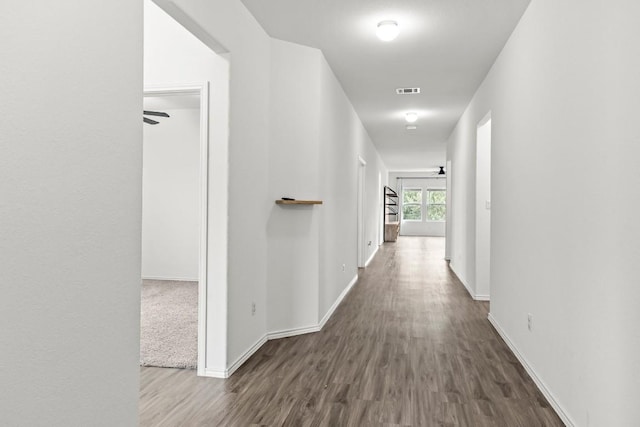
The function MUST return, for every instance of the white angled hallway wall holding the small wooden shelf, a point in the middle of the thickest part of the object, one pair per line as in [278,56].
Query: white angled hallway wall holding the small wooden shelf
[265,130]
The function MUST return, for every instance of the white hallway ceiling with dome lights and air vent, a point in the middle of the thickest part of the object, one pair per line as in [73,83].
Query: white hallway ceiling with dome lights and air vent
[445,47]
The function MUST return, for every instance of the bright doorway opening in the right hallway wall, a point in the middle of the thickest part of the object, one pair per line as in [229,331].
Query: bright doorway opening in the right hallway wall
[483,209]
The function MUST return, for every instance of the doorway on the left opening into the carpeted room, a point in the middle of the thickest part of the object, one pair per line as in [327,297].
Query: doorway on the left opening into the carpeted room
[174,227]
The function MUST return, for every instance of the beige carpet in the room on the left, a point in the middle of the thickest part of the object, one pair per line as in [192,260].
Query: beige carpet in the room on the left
[169,324]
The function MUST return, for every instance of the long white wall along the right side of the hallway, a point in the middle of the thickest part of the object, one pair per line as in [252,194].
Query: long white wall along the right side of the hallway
[564,97]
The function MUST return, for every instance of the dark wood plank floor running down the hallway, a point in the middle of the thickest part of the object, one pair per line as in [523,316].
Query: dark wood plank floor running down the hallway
[406,347]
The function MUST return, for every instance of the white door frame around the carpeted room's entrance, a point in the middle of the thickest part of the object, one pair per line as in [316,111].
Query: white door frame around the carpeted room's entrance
[202,90]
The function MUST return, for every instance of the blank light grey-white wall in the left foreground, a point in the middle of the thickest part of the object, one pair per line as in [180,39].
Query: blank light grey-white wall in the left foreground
[71,138]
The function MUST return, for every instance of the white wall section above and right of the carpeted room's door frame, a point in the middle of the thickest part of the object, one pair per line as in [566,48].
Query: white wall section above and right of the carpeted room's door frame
[173,56]
